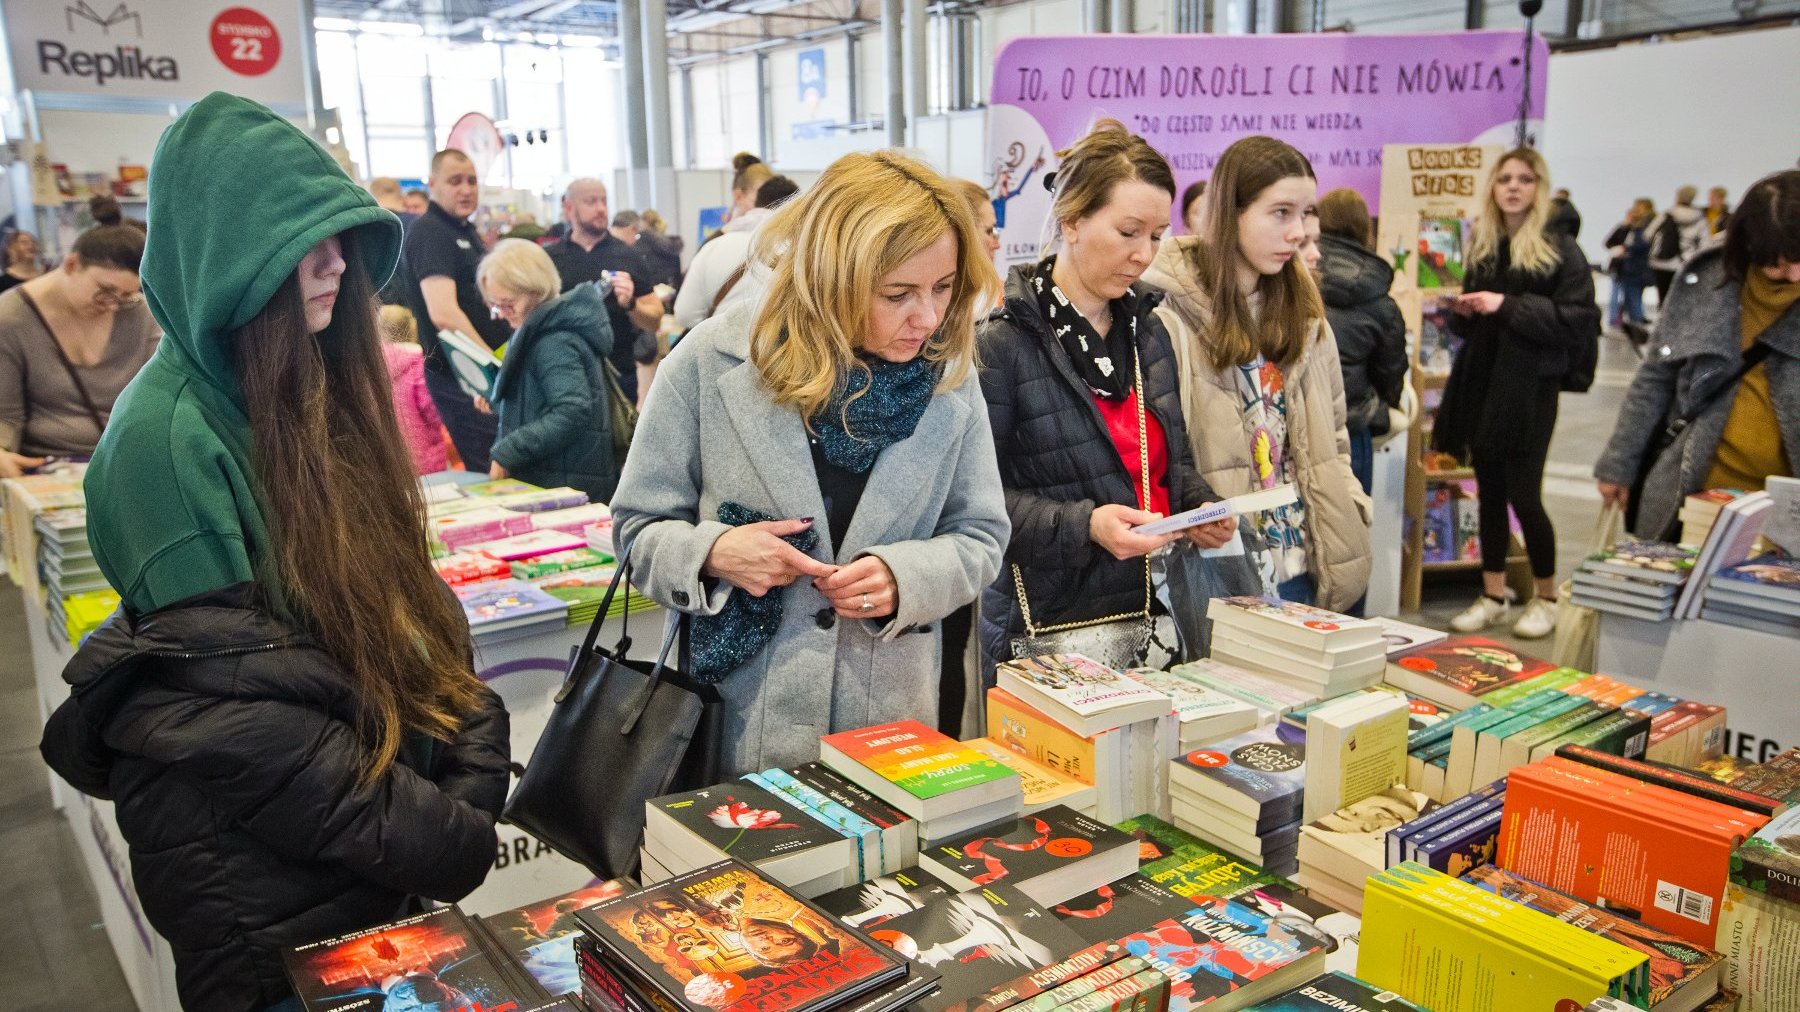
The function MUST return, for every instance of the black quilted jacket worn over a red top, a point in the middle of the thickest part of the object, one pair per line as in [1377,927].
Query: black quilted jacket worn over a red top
[1057,464]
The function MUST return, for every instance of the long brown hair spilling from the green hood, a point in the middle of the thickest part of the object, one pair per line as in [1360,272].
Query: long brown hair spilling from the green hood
[346,521]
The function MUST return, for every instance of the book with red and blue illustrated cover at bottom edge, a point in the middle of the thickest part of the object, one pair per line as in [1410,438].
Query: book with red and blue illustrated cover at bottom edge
[1225,957]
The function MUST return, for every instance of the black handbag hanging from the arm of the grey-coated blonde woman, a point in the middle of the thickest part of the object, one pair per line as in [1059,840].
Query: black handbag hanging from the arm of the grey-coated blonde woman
[620,734]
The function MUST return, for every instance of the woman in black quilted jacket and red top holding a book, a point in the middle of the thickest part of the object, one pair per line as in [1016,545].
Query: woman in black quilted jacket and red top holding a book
[1081,390]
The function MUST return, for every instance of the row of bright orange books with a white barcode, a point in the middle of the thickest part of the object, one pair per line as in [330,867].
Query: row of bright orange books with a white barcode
[1626,845]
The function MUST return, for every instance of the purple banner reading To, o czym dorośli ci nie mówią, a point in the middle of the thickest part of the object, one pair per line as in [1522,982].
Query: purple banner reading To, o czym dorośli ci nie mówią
[1338,98]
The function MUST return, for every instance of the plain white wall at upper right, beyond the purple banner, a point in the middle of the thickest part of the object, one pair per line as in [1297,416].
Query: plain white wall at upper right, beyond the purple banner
[1646,120]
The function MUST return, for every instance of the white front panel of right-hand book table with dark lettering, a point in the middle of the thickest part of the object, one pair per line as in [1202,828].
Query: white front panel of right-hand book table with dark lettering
[1756,676]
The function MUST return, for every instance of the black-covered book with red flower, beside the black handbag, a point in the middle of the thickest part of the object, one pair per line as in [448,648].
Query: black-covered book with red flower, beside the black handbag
[741,820]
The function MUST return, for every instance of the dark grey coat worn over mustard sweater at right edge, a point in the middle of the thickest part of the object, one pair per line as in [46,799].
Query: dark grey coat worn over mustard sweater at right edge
[1698,347]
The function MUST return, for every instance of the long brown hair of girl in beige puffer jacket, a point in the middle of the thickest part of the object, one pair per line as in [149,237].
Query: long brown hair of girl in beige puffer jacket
[1290,300]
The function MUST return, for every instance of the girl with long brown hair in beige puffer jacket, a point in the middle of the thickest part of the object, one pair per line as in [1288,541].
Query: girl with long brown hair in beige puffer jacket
[1261,384]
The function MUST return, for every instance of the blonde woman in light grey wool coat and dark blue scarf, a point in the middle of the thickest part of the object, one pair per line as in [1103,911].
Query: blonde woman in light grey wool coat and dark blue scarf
[825,487]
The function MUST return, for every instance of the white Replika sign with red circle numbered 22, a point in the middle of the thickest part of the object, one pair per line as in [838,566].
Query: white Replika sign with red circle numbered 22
[159,50]
